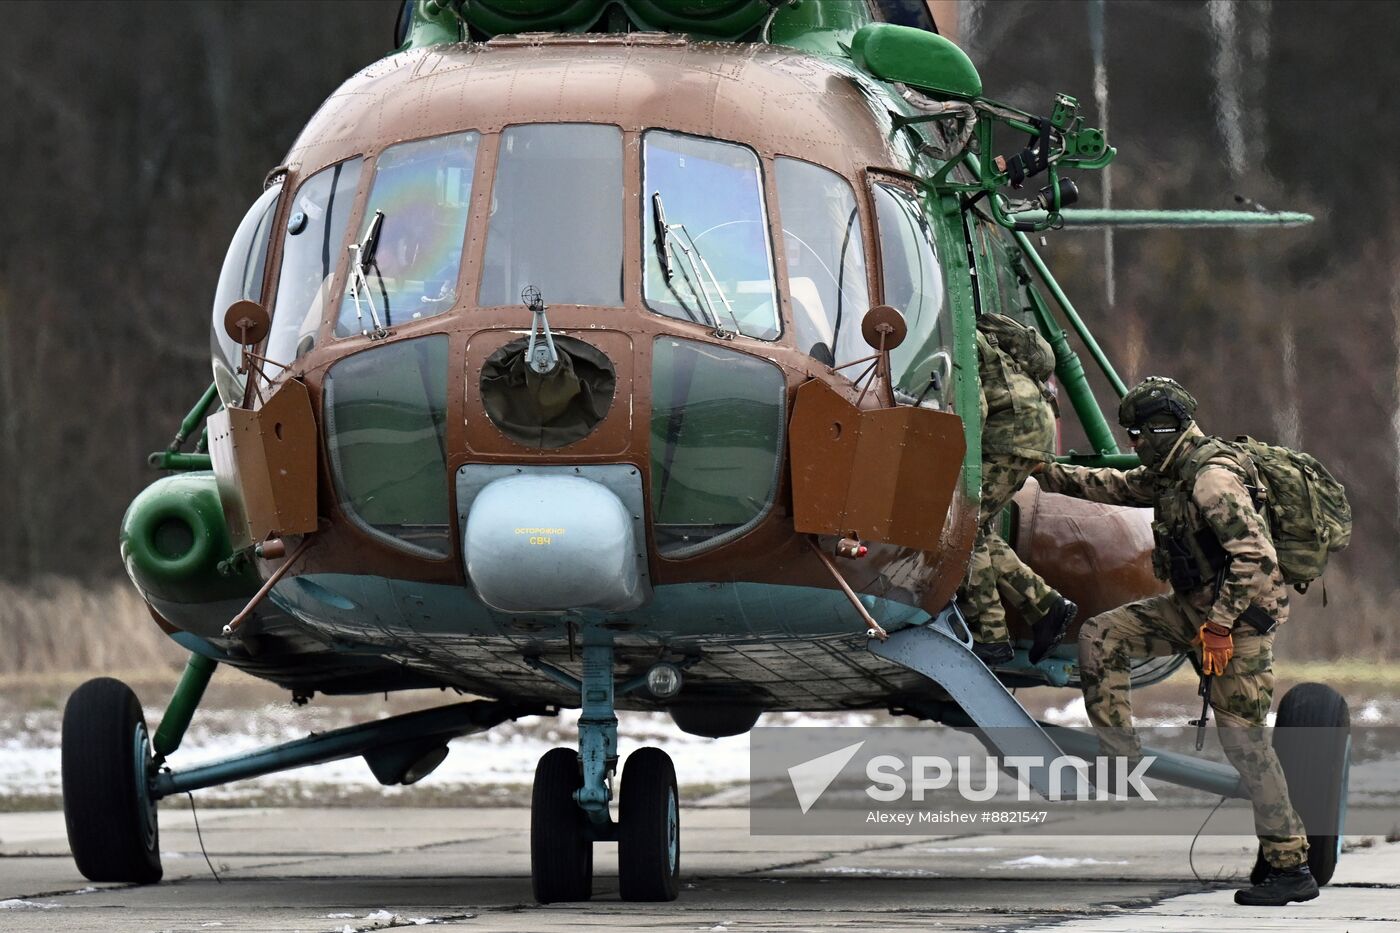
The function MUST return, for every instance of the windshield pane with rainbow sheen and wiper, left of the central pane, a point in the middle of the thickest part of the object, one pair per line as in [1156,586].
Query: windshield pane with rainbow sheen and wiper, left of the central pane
[425,193]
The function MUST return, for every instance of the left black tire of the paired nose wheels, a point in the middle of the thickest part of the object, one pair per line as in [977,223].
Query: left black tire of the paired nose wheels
[561,851]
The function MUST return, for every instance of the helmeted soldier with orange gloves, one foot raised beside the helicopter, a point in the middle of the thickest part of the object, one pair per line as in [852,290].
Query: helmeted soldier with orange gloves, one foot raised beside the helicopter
[1227,597]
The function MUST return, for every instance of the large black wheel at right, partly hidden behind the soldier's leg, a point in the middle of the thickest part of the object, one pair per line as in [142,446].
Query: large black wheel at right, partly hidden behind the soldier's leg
[1317,761]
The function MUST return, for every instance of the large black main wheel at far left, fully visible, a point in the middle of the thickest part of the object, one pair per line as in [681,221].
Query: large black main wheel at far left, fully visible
[113,826]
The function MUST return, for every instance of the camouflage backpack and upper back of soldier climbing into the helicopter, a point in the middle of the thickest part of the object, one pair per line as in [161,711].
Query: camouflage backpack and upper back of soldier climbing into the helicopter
[1014,364]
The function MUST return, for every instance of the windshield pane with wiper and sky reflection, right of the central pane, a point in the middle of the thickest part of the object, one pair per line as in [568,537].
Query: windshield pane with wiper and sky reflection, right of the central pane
[706,235]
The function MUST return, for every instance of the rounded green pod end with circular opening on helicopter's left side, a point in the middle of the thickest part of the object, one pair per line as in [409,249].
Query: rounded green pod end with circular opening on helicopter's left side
[174,540]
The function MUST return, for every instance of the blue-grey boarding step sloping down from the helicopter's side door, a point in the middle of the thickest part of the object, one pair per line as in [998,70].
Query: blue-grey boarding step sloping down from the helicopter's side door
[941,651]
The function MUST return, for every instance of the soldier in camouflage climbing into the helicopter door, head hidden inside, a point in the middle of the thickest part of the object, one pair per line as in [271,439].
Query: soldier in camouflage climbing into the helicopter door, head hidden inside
[1018,434]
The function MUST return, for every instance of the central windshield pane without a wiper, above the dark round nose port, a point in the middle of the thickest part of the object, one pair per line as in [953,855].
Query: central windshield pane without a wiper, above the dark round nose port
[556,216]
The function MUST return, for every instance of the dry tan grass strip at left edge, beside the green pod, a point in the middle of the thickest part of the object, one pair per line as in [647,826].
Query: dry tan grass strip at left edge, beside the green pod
[61,626]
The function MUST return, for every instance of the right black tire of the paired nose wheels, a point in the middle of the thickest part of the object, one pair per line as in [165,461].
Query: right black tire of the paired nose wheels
[649,831]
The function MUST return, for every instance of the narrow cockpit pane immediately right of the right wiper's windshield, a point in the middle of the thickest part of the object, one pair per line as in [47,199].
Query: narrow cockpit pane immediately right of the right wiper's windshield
[825,261]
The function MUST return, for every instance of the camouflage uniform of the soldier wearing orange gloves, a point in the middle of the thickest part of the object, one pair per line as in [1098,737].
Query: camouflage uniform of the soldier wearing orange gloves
[1217,501]
